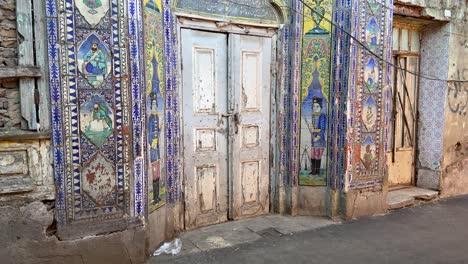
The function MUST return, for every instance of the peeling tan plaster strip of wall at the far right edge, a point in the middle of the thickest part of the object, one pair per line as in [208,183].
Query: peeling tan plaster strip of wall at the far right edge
[455,162]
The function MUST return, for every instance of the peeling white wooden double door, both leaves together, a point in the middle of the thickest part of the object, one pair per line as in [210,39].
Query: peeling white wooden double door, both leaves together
[226,116]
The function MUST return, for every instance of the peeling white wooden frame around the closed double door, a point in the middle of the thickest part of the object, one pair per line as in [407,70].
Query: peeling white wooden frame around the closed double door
[190,21]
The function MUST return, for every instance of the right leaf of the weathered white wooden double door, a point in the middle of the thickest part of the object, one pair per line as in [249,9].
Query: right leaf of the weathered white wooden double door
[250,76]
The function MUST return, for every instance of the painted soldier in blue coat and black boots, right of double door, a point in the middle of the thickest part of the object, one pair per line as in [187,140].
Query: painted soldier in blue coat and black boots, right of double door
[319,126]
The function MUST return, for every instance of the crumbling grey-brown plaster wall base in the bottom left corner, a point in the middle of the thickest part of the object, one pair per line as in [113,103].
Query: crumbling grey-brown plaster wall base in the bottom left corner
[28,237]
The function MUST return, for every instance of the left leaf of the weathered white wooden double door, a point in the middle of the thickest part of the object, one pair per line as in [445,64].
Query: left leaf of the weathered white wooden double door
[204,78]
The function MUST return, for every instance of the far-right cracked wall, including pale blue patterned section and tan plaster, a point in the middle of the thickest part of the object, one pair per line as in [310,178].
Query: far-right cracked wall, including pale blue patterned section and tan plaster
[442,110]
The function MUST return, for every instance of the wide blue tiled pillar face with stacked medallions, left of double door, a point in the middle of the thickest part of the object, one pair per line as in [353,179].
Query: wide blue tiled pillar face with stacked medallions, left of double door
[89,101]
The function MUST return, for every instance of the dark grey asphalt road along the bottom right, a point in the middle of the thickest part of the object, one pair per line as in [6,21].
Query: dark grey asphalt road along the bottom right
[431,233]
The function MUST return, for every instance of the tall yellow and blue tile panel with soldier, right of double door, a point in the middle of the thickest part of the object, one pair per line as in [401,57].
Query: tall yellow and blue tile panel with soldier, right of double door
[315,89]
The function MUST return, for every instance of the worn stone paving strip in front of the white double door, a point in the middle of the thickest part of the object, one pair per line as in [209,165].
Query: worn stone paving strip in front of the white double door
[234,233]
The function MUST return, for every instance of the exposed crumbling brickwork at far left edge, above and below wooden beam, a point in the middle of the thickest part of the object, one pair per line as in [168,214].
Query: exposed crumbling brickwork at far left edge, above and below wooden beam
[10,116]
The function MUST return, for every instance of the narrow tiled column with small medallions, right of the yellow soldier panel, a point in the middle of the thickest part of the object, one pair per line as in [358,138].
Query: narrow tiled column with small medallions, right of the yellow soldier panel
[367,113]
